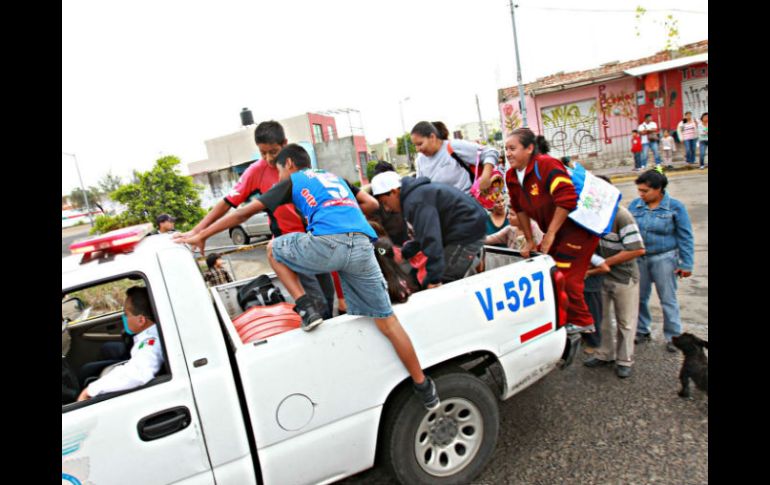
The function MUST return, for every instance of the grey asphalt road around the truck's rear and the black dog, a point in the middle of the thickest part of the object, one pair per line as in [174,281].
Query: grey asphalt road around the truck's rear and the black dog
[586,426]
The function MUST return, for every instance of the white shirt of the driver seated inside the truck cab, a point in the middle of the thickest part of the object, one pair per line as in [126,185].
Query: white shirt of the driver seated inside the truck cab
[146,360]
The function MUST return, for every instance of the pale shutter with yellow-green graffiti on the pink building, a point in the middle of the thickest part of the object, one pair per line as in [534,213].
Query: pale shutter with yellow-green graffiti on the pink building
[572,129]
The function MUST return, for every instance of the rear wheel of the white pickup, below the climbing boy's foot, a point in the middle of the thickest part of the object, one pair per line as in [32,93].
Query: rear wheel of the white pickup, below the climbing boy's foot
[450,445]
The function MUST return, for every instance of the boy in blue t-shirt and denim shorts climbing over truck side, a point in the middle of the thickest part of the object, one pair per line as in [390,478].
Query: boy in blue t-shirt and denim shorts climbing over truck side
[338,239]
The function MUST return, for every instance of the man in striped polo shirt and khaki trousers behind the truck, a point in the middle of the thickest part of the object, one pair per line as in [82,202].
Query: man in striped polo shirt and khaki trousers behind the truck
[620,290]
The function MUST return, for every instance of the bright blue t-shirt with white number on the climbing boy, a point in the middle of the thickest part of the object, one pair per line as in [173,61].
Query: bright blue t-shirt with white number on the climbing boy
[326,201]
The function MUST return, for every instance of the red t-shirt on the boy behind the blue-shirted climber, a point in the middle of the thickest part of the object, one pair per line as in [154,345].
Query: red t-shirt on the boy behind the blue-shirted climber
[258,179]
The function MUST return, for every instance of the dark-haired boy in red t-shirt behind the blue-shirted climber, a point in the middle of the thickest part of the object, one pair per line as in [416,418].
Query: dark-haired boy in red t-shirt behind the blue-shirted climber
[256,180]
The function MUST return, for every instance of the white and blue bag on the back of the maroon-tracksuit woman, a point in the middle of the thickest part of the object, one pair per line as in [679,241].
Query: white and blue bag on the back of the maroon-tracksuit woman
[597,200]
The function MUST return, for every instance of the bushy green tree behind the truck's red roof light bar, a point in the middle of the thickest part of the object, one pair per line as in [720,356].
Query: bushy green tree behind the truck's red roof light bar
[160,190]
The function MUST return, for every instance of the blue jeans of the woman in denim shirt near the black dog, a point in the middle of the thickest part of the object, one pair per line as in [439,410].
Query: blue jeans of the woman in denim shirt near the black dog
[659,269]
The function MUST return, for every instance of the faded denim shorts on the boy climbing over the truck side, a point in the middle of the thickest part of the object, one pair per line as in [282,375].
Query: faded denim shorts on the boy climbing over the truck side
[351,255]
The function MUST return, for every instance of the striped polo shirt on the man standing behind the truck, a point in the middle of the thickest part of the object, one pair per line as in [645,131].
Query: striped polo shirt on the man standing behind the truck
[625,236]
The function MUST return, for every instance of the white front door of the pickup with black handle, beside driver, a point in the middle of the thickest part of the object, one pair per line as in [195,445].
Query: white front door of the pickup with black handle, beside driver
[146,435]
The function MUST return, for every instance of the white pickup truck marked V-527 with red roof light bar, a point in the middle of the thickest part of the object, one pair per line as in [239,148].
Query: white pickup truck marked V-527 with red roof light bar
[296,407]
